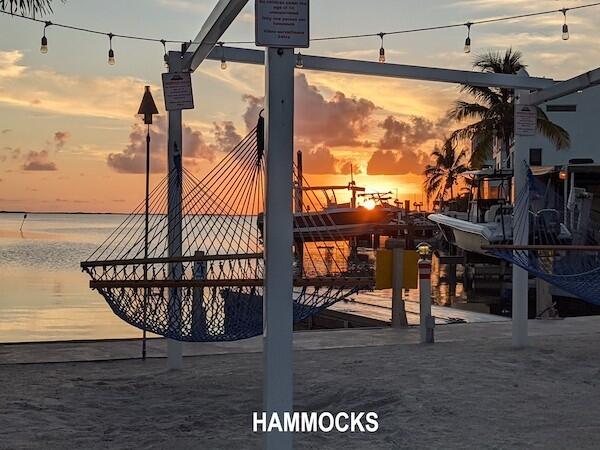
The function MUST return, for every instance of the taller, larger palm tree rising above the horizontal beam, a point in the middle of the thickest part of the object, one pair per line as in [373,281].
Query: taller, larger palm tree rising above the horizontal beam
[492,112]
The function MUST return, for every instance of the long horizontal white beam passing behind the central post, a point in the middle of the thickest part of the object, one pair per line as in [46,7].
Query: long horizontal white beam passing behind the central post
[354,67]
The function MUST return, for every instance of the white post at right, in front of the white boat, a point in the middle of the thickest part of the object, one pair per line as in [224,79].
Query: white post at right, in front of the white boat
[520,288]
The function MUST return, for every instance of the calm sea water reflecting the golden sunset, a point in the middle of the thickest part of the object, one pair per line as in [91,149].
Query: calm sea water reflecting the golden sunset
[45,296]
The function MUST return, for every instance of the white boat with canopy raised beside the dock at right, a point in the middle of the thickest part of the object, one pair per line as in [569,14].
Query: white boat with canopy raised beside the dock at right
[488,219]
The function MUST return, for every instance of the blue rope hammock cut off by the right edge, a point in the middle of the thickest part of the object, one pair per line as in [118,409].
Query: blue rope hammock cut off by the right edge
[568,259]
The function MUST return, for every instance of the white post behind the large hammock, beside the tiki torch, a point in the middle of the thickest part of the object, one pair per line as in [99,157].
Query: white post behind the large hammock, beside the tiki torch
[175,186]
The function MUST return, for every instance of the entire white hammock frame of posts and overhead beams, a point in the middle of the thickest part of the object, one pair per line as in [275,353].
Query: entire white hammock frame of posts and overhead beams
[279,114]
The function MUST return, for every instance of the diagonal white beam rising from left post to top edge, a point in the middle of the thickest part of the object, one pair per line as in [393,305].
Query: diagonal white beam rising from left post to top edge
[223,14]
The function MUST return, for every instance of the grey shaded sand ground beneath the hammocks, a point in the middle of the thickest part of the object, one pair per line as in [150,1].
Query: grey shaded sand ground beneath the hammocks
[481,394]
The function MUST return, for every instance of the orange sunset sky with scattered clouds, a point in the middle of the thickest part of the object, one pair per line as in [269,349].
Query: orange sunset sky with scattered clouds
[70,139]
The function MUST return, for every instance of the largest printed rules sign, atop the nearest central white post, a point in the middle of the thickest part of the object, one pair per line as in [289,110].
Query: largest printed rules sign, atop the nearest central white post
[282,23]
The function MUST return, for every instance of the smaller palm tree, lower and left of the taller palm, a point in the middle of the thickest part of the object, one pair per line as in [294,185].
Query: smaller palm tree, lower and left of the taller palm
[442,176]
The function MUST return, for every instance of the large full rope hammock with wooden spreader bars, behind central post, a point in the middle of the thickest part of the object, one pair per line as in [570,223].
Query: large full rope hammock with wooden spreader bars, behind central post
[200,276]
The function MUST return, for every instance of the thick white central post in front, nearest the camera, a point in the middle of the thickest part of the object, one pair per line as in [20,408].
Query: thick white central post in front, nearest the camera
[278,305]
